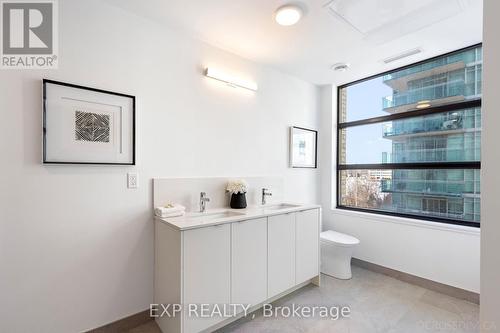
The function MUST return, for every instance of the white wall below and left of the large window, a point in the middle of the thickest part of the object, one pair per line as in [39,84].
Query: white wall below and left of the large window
[449,255]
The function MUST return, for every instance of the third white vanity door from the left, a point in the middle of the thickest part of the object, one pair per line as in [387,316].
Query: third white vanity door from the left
[281,253]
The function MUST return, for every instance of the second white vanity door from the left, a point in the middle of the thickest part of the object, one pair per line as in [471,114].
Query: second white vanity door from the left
[249,262]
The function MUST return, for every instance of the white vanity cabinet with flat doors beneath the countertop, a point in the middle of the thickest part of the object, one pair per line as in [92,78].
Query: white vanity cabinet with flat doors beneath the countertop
[247,261]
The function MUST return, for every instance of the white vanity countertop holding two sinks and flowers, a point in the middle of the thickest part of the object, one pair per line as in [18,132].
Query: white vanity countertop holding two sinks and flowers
[227,215]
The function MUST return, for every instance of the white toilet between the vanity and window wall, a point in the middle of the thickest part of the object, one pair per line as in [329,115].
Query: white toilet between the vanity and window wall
[336,253]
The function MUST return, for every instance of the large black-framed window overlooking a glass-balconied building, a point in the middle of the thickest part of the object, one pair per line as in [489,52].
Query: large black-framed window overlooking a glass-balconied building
[409,141]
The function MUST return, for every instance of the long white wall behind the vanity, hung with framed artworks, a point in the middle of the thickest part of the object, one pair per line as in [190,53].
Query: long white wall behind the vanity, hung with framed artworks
[76,246]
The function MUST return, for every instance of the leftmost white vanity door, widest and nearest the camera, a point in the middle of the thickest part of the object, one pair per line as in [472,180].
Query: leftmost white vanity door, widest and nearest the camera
[206,272]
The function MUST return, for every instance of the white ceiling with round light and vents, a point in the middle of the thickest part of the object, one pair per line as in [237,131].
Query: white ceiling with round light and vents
[308,49]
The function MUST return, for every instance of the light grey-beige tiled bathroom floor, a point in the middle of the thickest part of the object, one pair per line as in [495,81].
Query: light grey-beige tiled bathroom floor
[378,304]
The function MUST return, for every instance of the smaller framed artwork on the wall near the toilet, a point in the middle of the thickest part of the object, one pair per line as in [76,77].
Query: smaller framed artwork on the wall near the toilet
[303,147]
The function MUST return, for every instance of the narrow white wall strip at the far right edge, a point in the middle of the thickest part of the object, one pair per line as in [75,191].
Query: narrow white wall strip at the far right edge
[490,182]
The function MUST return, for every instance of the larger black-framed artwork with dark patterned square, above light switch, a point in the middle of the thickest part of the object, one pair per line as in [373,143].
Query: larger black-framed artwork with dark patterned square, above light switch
[83,125]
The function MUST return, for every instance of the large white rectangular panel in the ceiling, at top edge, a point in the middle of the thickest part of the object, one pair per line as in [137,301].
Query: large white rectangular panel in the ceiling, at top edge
[385,20]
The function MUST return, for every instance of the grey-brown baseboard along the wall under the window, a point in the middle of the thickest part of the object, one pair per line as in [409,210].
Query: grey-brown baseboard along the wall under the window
[419,281]
